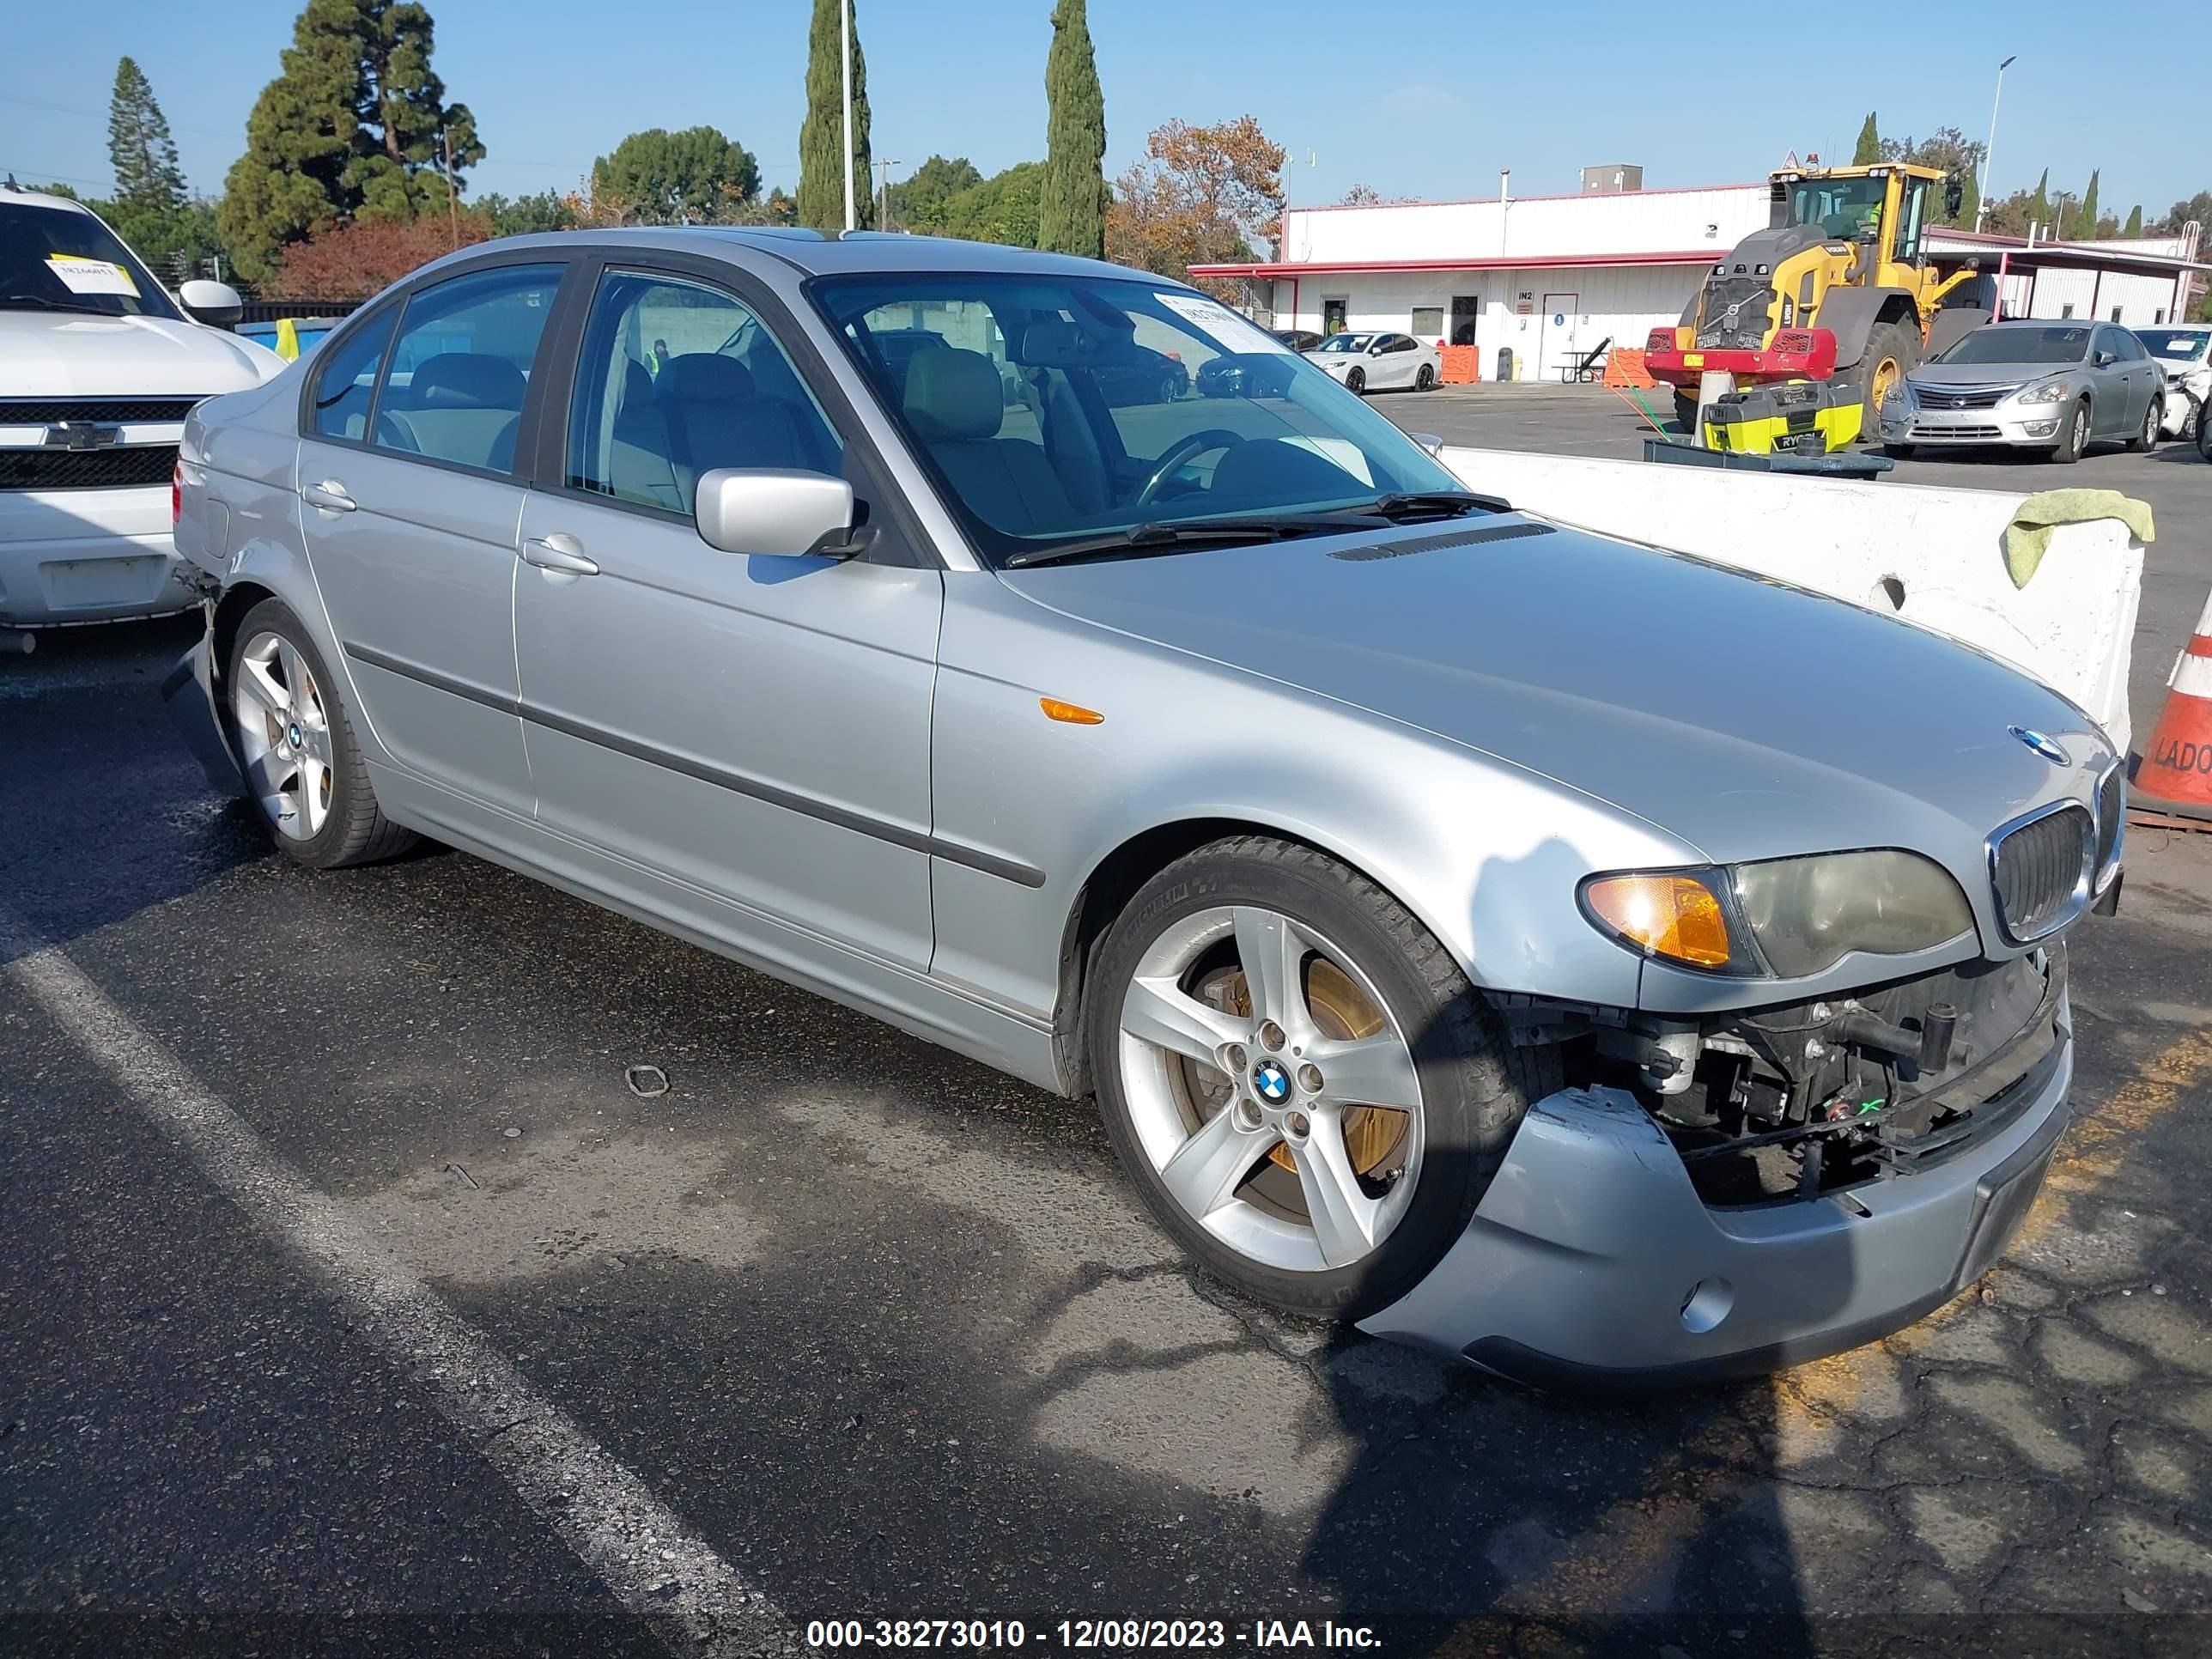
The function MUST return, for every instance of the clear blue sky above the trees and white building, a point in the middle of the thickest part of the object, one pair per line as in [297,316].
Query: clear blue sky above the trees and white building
[1426,98]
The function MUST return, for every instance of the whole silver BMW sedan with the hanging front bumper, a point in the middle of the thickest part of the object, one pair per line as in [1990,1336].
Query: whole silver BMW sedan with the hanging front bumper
[1565,954]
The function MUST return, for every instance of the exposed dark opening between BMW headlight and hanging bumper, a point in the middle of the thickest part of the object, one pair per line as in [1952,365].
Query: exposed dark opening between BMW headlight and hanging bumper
[1811,1098]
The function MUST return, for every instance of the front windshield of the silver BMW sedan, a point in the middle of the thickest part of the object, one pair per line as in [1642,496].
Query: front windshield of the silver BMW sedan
[1061,410]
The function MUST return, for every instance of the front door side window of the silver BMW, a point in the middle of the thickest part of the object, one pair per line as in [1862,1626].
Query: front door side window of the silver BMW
[676,382]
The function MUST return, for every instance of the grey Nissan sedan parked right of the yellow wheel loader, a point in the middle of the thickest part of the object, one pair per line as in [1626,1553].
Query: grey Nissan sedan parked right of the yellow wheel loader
[2032,386]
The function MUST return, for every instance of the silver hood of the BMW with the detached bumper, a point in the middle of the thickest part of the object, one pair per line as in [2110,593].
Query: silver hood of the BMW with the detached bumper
[1742,716]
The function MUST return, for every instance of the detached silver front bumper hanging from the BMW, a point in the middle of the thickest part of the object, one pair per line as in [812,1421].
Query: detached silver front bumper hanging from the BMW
[1594,1262]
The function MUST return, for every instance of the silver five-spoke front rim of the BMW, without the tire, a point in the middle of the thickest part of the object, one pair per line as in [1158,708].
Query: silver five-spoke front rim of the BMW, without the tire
[1280,1127]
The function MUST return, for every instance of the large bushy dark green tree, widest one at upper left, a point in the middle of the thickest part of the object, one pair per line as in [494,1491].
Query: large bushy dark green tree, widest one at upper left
[353,127]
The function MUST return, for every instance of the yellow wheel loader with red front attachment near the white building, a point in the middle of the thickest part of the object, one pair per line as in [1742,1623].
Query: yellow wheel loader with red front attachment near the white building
[1837,286]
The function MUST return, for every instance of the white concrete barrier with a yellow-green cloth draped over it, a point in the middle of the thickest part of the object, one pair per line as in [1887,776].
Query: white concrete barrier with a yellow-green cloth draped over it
[1932,556]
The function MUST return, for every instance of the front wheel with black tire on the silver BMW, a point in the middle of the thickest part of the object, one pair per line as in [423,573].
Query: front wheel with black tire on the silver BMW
[1300,1078]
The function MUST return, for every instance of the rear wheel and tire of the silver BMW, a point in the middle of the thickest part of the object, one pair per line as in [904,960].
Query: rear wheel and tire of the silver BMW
[298,747]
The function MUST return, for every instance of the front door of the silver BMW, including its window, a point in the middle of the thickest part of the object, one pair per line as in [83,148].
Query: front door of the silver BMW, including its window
[751,729]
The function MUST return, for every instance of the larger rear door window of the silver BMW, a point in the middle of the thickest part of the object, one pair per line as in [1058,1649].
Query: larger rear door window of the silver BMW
[461,366]
